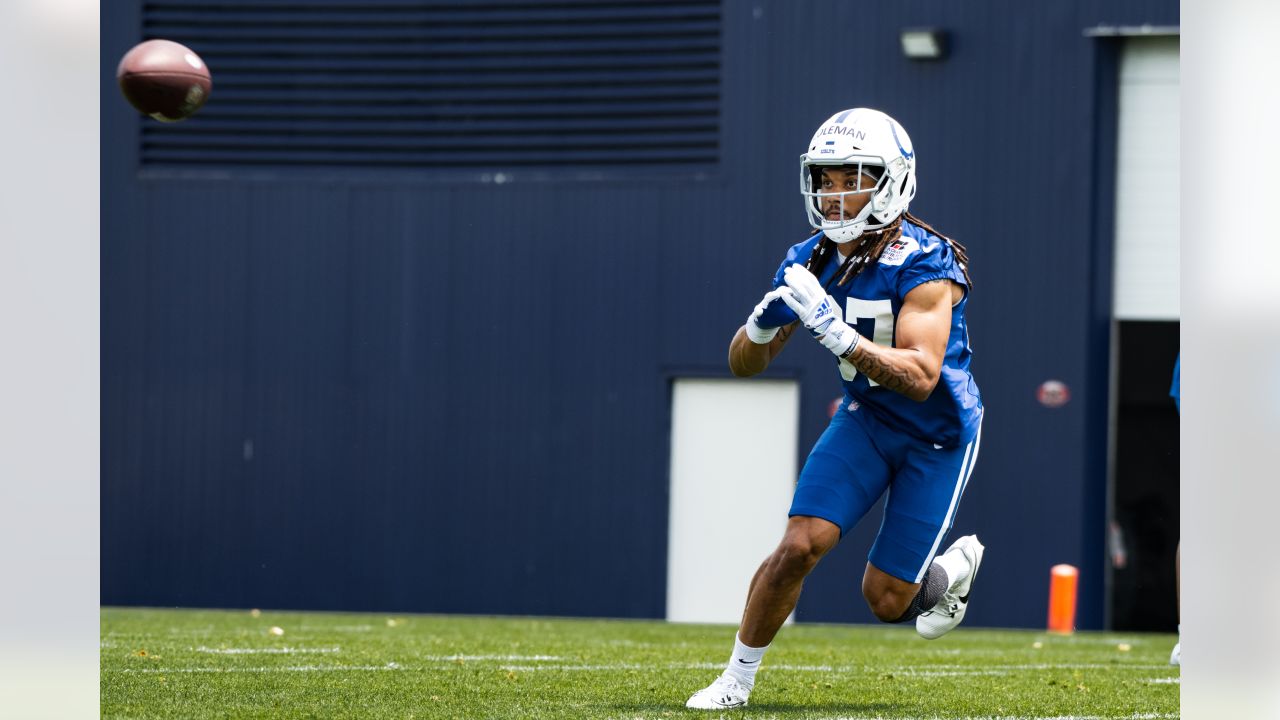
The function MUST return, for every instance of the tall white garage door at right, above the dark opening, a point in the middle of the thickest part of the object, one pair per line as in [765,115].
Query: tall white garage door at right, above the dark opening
[1148,198]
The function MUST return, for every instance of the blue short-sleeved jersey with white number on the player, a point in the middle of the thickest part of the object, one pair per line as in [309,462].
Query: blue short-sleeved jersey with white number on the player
[871,303]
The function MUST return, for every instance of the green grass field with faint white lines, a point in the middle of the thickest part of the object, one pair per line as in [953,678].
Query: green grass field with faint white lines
[228,664]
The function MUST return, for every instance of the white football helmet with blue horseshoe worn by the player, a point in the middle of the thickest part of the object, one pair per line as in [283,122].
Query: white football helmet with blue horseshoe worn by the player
[872,143]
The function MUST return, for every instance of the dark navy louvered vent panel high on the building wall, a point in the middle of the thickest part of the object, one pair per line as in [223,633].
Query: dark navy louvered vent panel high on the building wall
[394,84]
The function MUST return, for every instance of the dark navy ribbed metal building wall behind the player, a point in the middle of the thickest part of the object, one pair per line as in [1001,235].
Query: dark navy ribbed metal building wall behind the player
[428,393]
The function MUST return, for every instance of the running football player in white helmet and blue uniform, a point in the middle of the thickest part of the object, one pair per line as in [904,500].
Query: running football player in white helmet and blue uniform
[886,295]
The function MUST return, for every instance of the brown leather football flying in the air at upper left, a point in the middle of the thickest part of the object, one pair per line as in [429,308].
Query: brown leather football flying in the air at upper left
[164,80]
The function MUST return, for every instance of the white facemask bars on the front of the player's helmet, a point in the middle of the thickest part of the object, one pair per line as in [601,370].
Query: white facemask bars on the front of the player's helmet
[844,229]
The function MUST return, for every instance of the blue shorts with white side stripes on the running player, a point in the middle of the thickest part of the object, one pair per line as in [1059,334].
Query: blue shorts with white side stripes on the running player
[857,459]
